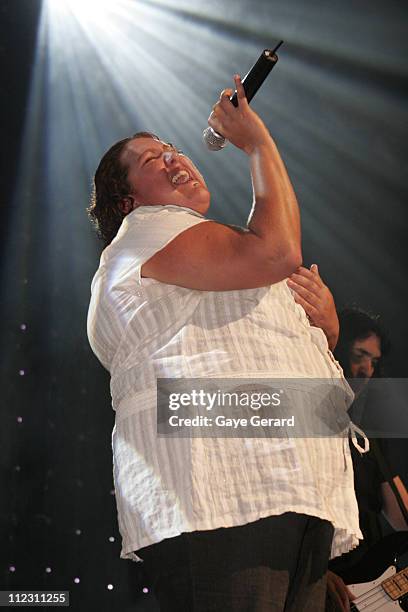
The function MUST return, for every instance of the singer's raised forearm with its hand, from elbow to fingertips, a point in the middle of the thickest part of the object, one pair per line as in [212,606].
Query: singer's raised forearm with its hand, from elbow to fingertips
[274,224]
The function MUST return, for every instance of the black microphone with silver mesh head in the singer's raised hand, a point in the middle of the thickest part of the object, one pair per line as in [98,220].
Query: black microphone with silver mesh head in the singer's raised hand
[251,82]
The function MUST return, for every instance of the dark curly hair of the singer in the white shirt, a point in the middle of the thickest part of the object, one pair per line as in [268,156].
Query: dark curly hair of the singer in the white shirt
[110,186]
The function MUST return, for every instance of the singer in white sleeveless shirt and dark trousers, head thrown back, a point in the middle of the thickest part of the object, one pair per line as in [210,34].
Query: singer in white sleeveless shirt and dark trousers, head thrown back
[221,524]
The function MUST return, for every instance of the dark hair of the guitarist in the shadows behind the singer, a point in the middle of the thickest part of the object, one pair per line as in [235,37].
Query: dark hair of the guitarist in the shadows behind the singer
[356,324]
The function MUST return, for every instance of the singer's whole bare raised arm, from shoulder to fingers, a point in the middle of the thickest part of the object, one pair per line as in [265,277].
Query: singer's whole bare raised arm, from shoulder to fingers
[212,256]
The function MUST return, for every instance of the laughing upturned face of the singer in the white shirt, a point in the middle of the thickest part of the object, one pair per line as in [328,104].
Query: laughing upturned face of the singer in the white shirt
[159,174]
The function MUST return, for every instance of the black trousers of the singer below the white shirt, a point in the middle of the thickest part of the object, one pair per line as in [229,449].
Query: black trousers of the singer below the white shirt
[274,564]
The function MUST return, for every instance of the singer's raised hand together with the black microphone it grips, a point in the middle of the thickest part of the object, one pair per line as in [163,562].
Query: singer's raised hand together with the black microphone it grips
[233,109]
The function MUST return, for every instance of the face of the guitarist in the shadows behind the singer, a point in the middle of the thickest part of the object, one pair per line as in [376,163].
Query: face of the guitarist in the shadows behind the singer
[364,356]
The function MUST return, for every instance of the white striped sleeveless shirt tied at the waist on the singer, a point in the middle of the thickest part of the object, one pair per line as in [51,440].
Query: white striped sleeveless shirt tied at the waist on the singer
[141,330]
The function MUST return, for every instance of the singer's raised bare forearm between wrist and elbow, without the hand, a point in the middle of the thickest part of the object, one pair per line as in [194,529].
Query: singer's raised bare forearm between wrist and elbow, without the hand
[275,217]
